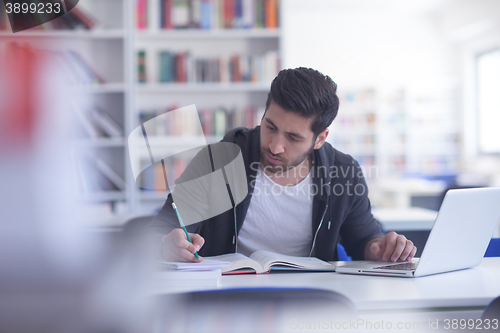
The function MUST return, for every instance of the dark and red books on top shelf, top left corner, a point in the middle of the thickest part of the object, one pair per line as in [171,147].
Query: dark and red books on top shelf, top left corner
[76,18]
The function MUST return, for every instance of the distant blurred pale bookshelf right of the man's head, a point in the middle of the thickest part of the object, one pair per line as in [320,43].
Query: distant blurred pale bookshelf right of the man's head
[399,131]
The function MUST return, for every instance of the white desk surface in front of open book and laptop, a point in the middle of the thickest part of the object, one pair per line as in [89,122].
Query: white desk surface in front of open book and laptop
[474,287]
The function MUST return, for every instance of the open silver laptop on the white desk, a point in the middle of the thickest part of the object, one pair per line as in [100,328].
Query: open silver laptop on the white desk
[458,239]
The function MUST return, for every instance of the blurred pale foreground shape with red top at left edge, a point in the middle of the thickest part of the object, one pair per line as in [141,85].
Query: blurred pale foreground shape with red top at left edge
[54,276]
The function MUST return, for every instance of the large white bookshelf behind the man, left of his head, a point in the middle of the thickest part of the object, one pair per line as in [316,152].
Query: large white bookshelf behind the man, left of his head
[110,49]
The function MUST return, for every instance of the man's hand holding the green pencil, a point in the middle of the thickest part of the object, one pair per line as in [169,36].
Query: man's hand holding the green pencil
[176,247]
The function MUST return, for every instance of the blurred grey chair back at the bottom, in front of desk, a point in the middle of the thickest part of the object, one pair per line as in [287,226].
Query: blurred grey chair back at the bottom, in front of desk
[254,310]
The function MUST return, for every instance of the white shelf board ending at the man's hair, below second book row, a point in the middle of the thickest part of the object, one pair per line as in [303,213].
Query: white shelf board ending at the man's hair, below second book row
[203,87]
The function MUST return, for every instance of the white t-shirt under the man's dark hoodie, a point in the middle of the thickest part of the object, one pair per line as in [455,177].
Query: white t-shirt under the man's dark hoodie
[278,219]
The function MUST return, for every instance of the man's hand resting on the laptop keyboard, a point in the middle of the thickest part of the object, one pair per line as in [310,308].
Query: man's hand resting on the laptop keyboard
[391,247]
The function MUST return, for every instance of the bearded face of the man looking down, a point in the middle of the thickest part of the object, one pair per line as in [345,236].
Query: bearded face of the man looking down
[286,139]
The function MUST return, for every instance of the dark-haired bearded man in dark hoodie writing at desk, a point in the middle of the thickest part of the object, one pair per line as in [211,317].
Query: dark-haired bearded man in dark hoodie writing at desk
[304,195]
